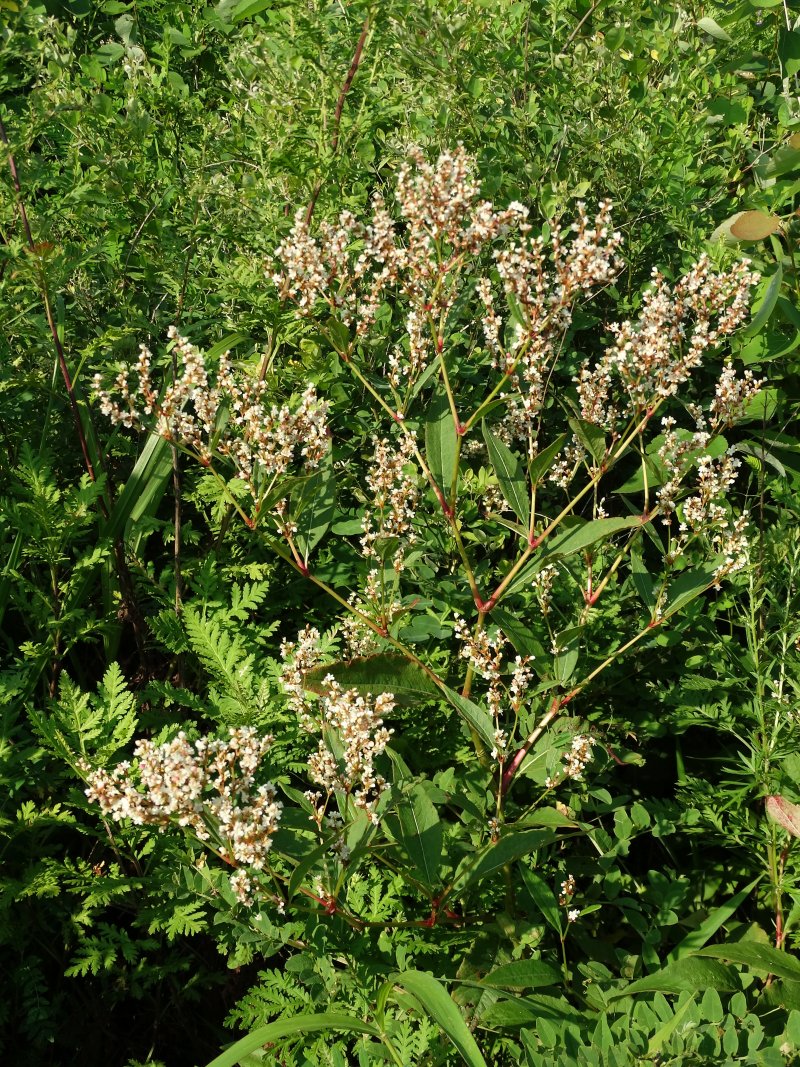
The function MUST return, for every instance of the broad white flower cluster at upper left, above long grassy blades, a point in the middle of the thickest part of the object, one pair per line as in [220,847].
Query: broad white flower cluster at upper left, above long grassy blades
[229,417]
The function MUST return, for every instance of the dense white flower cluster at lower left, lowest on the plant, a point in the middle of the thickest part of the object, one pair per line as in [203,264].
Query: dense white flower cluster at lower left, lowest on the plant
[207,786]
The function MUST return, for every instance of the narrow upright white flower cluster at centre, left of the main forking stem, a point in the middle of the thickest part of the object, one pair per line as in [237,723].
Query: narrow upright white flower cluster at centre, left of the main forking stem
[394,499]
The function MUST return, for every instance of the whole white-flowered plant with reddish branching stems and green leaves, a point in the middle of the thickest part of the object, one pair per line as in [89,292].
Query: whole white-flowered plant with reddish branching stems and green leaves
[511,488]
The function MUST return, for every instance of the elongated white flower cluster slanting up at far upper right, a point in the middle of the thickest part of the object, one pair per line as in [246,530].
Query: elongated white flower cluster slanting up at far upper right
[654,357]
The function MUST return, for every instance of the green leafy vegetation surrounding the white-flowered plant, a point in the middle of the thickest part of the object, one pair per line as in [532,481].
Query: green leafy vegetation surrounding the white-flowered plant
[163,150]
